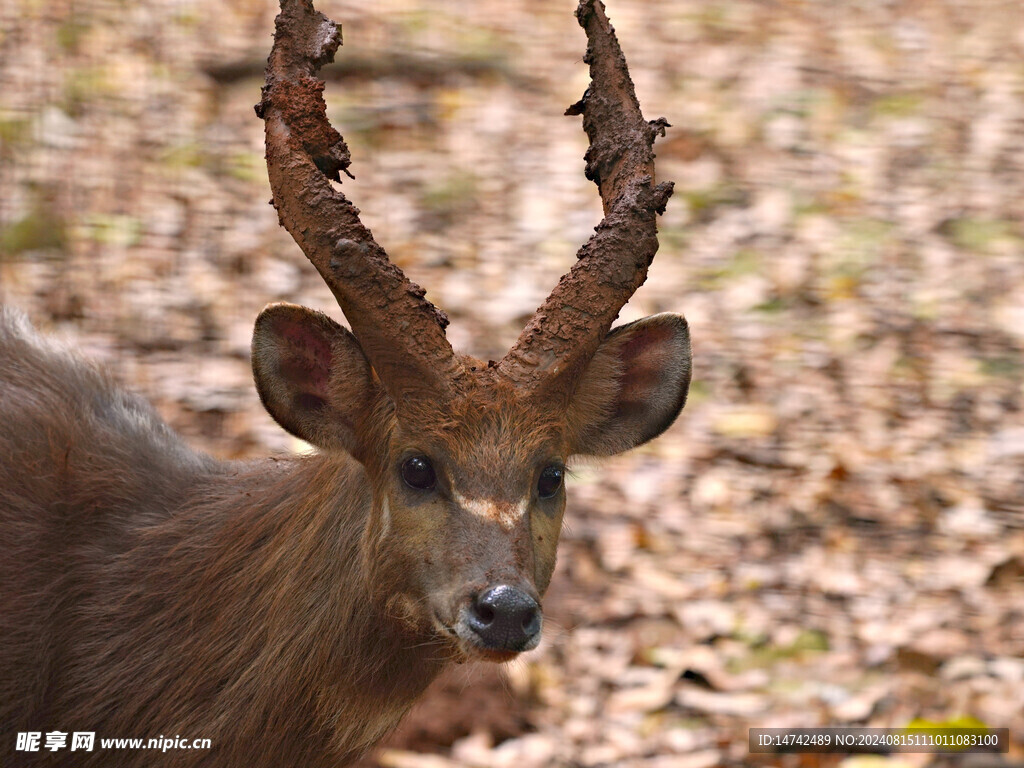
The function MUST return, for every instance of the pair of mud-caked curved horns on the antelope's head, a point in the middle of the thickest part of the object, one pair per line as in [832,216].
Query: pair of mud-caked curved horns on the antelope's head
[410,351]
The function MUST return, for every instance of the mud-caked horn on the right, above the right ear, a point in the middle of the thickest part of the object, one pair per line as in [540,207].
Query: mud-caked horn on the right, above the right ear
[566,332]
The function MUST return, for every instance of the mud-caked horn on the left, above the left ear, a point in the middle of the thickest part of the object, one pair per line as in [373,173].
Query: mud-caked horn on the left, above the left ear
[401,332]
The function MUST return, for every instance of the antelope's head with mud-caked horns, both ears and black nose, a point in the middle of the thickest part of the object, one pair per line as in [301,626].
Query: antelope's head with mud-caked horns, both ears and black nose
[465,458]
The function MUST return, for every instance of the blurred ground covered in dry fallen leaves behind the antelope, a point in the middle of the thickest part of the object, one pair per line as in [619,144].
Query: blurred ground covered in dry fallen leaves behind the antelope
[831,534]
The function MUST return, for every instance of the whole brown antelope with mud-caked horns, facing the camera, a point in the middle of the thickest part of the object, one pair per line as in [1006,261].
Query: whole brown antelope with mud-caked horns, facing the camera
[291,611]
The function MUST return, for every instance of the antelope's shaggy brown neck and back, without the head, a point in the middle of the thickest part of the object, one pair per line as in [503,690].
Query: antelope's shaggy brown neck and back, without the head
[151,591]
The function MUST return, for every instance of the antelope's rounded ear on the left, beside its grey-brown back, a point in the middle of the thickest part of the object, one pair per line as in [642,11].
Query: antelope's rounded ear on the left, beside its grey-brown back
[312,376]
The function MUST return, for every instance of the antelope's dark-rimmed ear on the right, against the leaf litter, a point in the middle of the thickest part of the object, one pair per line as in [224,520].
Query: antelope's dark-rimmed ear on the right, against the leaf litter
[633,389]
